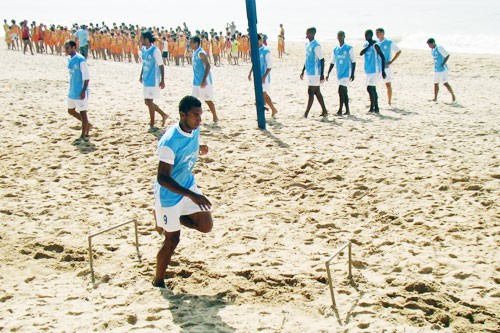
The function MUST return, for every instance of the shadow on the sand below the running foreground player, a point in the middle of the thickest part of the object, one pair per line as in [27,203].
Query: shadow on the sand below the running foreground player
[197,313]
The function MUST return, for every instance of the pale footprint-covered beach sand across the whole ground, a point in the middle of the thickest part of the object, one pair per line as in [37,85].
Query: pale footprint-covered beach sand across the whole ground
[415,190]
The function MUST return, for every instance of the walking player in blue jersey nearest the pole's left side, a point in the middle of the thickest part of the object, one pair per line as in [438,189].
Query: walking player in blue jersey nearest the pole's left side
[203,87]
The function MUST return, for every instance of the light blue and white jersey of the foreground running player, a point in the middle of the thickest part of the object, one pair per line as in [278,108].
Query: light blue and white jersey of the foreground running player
[185,147]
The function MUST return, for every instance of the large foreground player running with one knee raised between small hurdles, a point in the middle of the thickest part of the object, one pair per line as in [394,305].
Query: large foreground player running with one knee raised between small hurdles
[178,201]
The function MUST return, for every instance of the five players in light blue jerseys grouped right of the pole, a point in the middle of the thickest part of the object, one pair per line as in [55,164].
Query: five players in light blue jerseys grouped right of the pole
[379,55]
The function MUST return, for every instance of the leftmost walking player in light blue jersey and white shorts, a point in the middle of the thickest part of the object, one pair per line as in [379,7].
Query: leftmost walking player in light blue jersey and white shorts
[78,96]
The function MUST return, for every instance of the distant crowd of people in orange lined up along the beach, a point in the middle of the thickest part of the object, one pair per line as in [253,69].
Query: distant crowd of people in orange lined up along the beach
[123,43]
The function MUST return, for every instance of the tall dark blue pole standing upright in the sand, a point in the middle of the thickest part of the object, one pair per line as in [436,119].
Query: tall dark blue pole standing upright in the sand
[257,75]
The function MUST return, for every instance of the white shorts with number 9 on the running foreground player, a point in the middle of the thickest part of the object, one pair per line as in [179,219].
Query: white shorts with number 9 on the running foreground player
[169,218]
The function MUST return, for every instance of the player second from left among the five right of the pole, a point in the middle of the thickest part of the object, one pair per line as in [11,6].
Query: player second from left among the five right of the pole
[343,56]
